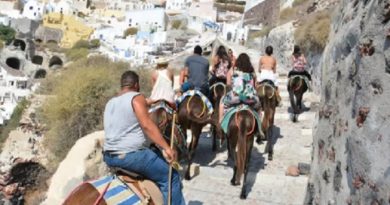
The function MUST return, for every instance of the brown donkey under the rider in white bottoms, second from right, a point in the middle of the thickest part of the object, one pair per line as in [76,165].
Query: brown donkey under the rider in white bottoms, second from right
[268,98]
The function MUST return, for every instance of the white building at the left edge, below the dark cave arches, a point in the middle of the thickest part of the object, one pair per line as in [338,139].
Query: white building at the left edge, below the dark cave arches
[13,88]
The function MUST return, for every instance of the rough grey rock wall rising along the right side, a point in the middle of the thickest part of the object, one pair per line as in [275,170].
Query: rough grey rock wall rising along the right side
[351,161]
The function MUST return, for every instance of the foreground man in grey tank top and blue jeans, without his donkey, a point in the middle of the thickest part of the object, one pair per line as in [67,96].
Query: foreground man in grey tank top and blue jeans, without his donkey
[128,128]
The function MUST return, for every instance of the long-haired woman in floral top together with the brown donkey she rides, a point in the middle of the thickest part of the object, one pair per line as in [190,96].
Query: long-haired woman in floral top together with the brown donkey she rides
[239,118]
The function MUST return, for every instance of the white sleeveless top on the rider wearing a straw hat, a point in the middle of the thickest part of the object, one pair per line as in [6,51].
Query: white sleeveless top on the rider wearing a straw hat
[163,88]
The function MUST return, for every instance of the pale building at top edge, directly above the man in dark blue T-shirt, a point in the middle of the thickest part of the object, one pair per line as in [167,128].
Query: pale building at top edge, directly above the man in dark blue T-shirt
[202,16]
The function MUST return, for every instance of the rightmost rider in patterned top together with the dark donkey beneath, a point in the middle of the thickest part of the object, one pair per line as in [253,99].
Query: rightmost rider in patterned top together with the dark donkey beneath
[299,81]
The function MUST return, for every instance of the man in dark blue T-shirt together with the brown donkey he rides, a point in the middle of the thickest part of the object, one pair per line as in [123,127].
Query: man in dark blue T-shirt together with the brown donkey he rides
[194,107]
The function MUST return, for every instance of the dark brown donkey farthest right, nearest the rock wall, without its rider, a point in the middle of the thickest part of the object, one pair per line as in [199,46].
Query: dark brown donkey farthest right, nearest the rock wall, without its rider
[296,88]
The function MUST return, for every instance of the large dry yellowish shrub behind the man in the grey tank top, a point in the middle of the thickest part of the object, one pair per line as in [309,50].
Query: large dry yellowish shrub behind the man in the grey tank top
[81,93]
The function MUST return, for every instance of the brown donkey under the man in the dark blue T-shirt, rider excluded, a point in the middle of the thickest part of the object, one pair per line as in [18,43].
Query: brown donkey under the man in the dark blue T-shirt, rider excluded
[193,115]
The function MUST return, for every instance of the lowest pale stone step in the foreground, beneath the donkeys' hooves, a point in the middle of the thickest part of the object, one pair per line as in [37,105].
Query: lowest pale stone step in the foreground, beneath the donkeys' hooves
[264,188]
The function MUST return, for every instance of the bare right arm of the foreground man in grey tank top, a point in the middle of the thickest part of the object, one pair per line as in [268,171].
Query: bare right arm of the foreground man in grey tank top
[149,127]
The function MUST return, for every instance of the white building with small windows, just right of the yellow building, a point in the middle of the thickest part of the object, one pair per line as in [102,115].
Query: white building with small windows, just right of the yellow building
[150,20]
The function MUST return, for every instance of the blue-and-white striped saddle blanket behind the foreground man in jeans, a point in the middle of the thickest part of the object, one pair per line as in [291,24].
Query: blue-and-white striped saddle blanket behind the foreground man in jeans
[115,192]
